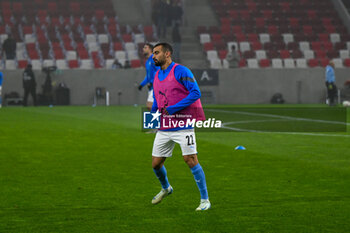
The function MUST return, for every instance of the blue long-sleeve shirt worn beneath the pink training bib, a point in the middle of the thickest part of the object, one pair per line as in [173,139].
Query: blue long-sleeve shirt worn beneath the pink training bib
[184,76]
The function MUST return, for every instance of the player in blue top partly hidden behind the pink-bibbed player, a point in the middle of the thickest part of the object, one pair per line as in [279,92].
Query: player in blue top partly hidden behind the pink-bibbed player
[151,69]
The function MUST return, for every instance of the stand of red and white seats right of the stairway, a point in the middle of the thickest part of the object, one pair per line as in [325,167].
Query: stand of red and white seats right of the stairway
[299,33]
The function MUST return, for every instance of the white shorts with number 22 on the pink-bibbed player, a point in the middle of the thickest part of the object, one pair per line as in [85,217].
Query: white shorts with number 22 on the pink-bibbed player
[164,142]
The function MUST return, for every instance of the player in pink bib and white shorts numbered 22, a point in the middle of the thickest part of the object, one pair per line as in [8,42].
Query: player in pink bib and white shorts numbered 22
[176,91]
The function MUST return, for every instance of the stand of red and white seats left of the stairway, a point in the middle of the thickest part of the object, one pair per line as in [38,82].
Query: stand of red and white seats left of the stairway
[83,37]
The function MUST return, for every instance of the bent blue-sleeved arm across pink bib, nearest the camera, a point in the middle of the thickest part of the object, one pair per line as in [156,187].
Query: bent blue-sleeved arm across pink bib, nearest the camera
[186,78]
